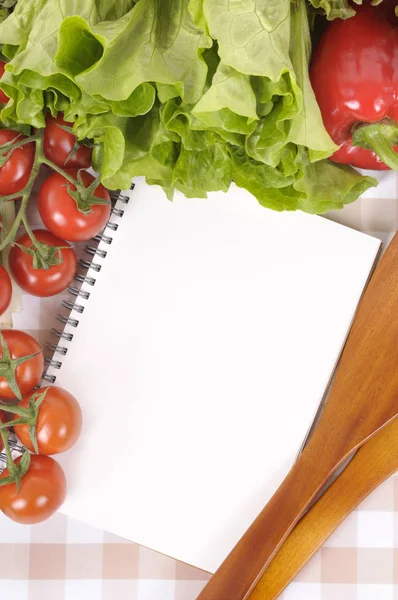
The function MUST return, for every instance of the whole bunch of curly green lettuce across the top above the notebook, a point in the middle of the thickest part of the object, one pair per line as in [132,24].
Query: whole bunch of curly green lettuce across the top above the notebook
[191,94]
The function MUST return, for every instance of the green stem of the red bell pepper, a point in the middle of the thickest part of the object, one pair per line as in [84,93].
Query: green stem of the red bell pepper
[380,138]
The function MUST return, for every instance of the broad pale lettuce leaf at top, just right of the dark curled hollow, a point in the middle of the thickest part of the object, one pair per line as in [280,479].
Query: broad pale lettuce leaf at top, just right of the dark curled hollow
[167,49]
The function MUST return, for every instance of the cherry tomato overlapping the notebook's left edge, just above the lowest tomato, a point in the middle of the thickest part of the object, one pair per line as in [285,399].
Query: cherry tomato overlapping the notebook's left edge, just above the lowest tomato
[59,422]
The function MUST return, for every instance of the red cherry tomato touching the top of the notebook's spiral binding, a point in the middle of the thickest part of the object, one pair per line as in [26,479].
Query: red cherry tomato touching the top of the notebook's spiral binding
[60,213]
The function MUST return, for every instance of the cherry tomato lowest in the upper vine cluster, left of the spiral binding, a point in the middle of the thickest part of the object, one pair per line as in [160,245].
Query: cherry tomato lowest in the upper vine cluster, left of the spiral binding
[42,282]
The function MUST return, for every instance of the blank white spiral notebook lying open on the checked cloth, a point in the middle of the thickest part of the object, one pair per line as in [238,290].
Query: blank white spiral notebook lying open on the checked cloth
[200,345]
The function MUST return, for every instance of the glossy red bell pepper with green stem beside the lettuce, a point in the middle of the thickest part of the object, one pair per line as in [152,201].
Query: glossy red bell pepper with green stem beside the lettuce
[354,74]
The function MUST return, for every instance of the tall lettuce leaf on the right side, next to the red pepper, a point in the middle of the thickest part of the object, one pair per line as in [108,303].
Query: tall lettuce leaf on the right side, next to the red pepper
[253,43]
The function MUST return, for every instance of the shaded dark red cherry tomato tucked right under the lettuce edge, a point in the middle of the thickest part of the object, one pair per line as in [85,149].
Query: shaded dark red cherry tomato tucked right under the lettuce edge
[58,144]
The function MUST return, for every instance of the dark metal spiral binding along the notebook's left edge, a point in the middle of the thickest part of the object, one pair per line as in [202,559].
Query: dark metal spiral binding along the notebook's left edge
[72,305]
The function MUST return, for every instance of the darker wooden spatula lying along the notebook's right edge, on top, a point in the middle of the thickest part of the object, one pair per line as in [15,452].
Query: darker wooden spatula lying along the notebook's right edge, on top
[364,397]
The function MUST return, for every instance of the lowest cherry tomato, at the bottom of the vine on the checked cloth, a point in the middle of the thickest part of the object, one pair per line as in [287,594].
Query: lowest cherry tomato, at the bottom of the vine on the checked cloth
[42,493]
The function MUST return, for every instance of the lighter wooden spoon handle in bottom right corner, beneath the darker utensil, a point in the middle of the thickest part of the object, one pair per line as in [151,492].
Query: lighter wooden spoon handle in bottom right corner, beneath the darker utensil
[374,462]
